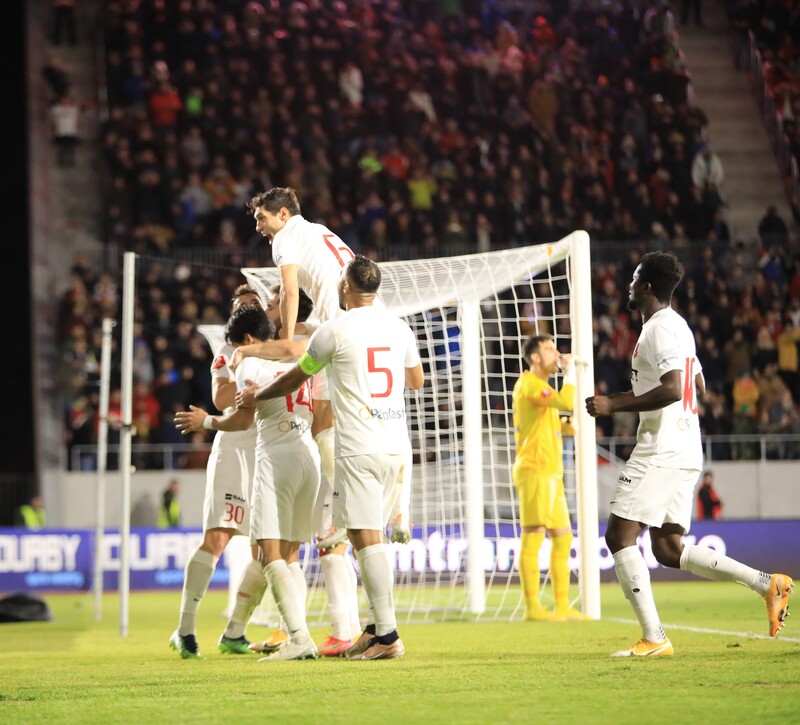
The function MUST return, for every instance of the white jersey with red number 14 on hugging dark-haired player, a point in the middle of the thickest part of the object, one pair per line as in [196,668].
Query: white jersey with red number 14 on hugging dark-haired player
[282,423]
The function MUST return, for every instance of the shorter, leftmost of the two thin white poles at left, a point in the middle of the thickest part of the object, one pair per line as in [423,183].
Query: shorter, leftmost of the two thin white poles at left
[102,459]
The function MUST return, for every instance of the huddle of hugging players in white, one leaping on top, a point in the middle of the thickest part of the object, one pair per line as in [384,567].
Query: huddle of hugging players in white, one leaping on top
[288,462]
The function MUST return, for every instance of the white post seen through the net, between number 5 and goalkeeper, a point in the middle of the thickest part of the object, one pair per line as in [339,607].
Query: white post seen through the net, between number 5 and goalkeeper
[473,452]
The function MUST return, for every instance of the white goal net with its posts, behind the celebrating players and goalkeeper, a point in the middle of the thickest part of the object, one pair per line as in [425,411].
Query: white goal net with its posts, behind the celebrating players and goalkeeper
[471,315]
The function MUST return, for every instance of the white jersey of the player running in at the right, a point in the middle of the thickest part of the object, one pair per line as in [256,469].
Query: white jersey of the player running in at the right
[669,437]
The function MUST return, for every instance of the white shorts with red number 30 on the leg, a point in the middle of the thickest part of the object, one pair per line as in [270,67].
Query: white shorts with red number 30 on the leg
[229,476]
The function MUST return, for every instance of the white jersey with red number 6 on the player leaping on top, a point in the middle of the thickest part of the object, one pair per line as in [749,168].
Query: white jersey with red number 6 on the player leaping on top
[319,255]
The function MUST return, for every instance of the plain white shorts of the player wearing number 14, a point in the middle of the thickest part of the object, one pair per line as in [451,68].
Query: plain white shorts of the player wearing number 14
[284,490]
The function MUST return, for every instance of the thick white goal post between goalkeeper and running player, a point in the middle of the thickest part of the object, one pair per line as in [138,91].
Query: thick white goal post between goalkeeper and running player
[585,441]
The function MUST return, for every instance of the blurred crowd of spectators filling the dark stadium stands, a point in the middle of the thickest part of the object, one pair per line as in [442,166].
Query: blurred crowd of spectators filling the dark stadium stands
[424,129]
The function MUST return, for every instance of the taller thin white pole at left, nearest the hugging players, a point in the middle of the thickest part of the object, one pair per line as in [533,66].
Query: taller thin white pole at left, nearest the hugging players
[128,300]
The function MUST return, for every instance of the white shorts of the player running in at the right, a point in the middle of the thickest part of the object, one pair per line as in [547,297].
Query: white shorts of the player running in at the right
[653,495]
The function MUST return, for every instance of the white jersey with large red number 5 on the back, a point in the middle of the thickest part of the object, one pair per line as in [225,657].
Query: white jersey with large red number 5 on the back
[367,351]
